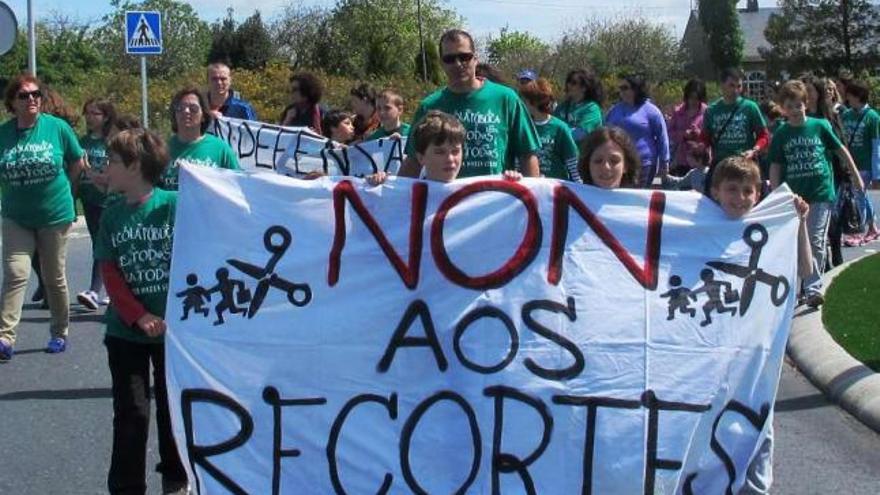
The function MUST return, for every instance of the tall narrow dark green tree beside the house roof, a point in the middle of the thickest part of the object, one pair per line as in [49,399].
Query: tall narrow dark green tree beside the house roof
[720,22]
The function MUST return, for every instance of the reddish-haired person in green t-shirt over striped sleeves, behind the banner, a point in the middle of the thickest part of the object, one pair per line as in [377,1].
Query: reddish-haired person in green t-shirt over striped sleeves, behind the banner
[558,156]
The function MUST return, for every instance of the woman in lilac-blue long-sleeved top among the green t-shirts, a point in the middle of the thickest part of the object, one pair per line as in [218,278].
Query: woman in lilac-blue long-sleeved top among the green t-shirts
[645,124]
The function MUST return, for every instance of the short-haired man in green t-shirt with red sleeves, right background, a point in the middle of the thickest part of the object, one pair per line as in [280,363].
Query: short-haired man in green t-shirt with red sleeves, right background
[734,125]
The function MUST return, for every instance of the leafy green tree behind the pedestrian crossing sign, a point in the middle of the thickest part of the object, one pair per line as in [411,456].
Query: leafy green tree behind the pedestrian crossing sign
[186,38]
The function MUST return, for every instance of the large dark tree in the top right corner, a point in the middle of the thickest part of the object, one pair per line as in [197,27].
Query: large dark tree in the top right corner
[823,35]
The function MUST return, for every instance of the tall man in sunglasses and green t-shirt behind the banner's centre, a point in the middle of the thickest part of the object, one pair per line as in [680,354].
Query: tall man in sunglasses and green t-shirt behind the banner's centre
[499,129]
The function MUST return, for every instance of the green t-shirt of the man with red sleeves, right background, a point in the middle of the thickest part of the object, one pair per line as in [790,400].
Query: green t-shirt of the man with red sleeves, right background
[739,135]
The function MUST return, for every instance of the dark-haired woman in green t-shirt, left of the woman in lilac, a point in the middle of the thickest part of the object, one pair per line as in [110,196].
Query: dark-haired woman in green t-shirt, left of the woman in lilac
[582,107]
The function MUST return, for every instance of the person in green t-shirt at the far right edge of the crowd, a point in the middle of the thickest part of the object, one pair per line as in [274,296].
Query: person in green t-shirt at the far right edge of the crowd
[861,126]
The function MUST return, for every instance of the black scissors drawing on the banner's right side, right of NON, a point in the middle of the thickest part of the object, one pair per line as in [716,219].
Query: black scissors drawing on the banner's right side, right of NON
[755,236]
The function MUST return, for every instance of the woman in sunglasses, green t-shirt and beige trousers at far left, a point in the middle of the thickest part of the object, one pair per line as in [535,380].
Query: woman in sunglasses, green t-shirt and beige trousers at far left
[40,163]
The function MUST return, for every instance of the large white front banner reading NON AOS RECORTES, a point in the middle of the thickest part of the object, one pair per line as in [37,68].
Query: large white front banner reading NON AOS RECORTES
[479,337]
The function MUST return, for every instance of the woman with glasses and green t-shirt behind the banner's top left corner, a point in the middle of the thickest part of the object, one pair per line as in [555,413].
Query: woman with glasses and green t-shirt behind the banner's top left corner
[190,119]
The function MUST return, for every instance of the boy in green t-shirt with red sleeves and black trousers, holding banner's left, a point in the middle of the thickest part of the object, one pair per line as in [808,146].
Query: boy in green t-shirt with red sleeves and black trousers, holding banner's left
[134,250]
